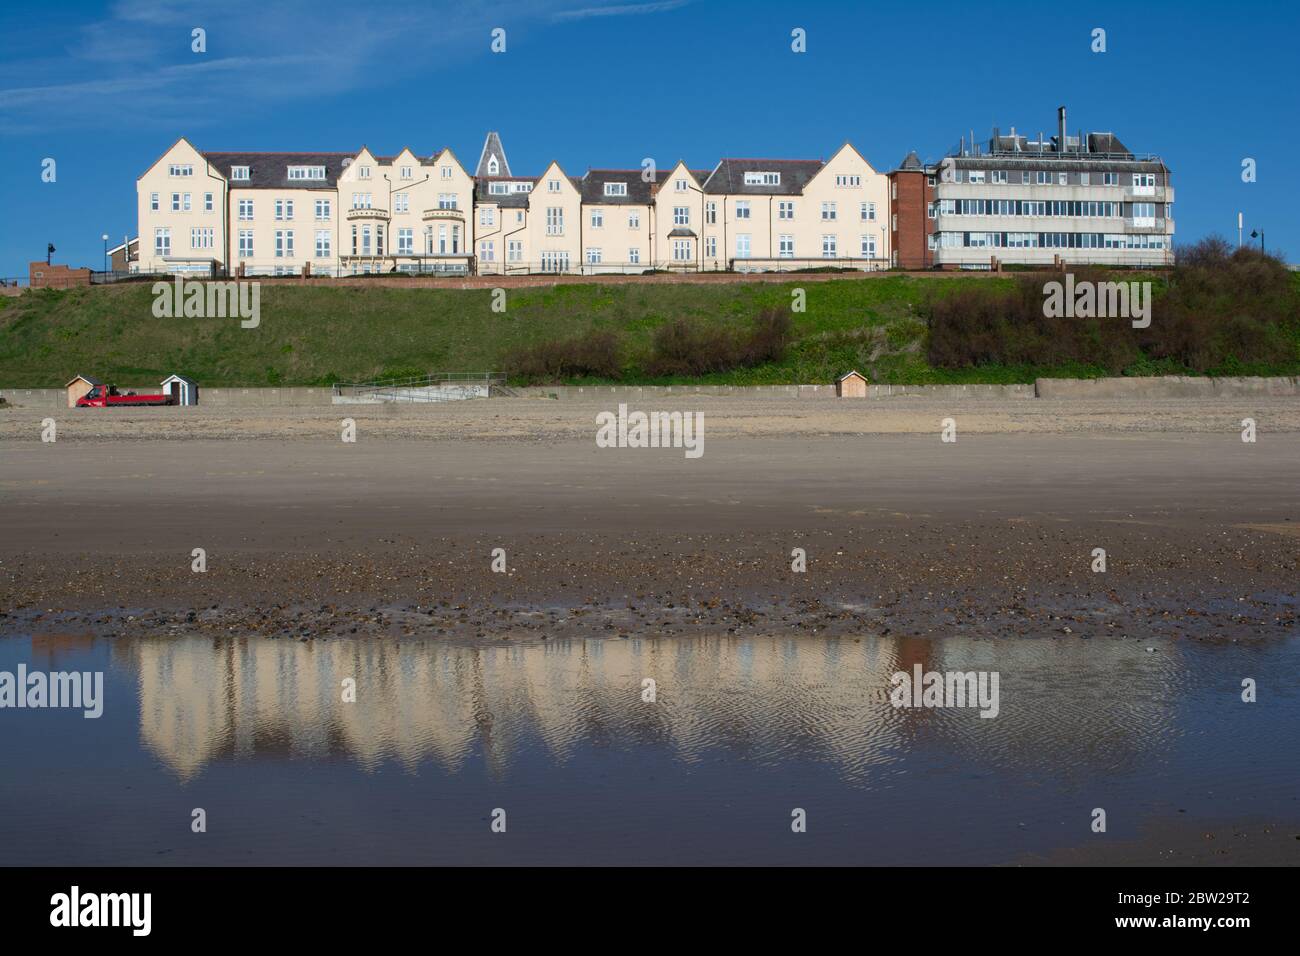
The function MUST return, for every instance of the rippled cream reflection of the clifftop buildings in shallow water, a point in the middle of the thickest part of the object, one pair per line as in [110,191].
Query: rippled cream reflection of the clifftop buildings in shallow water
[773,699]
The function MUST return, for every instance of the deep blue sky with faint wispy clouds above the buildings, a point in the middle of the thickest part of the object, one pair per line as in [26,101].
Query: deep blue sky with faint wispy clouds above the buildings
[105,89]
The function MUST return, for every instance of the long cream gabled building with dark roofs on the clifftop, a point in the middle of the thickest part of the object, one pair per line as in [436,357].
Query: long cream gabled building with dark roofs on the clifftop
[336,214]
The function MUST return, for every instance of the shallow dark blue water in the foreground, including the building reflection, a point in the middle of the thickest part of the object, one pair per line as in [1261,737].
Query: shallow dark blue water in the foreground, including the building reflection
[562,738]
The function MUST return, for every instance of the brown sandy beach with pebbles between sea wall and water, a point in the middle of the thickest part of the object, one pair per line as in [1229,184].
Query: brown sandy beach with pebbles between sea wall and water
[990,537]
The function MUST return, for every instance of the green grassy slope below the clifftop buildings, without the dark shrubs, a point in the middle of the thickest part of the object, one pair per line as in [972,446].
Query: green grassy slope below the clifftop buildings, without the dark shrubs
[320,335]
